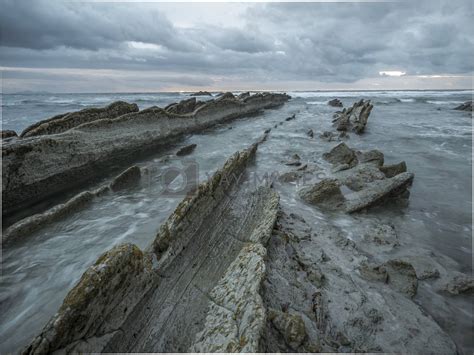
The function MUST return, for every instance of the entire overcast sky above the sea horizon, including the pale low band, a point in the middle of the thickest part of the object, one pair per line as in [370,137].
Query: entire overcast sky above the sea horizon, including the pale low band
[77,46]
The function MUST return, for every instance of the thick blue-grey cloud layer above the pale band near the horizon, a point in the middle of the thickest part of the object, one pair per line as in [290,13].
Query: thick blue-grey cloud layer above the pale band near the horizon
[325,42]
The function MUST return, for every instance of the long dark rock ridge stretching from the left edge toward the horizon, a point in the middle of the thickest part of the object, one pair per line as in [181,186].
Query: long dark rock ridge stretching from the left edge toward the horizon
[37,168]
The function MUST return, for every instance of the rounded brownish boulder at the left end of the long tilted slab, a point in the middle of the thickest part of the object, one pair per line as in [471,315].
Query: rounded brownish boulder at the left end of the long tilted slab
[326,193]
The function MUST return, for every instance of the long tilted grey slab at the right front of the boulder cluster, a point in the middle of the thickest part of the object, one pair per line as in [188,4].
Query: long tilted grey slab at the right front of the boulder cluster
[378,191]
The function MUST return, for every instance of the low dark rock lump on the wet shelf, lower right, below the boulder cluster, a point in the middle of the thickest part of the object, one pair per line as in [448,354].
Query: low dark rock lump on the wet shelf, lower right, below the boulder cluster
[399,274]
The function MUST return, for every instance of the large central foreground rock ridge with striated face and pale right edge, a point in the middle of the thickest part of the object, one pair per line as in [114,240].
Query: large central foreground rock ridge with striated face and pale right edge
[196,287]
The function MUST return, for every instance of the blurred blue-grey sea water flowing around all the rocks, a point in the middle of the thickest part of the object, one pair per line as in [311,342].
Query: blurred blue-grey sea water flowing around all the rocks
[419,127]
